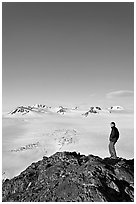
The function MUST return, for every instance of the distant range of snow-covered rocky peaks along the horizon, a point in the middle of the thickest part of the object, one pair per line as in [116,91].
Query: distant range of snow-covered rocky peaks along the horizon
[40,109]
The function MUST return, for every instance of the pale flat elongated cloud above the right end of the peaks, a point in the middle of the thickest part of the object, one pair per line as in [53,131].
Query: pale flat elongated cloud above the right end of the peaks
[120,94]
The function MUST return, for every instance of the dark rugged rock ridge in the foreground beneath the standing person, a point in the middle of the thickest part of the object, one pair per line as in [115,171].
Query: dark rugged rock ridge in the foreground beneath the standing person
[68,176]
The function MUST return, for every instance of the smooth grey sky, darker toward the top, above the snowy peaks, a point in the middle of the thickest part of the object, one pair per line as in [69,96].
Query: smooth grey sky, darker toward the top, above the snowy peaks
[66,53]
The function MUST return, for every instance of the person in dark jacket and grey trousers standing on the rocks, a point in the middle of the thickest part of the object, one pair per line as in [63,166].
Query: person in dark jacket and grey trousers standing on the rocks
[113,139]
